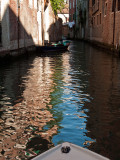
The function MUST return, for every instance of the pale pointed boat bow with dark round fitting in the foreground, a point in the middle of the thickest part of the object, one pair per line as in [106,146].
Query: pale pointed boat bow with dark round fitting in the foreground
[69,151]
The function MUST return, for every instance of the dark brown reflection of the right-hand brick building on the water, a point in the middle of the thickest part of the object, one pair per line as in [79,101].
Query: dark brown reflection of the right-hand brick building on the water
[103,122]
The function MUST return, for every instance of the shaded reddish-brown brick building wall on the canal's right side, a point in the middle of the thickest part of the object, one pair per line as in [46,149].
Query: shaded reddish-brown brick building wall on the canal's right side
[102,22]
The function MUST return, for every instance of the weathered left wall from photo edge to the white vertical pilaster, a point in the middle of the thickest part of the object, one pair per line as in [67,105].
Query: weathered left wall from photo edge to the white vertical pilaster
[19,25]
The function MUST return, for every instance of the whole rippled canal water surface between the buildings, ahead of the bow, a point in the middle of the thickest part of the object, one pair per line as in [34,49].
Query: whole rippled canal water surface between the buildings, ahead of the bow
[49,99]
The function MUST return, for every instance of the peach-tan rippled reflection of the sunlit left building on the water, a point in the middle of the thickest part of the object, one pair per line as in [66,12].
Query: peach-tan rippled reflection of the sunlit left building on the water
[23,120]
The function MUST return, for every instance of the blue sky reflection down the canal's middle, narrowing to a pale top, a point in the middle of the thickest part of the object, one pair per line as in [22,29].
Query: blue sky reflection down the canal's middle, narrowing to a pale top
[70,99]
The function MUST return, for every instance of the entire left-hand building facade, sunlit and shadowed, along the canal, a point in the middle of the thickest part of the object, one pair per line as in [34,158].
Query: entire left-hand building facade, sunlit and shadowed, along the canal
[27,23]
